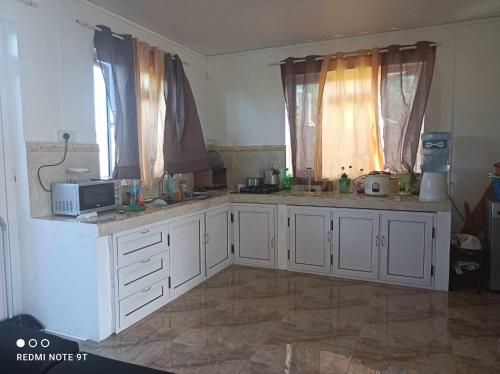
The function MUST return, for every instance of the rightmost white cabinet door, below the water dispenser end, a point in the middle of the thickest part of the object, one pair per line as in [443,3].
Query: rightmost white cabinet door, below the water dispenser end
[406,247]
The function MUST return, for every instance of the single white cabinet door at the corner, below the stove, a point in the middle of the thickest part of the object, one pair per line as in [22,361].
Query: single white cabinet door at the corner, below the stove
[254,234]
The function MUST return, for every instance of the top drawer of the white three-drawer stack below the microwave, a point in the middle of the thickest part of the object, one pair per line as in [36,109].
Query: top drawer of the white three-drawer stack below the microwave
[139,245]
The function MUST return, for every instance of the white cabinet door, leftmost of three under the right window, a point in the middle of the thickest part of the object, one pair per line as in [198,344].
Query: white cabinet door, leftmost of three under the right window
[309,238]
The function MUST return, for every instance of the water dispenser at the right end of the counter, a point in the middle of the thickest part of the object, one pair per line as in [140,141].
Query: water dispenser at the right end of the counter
[436,147]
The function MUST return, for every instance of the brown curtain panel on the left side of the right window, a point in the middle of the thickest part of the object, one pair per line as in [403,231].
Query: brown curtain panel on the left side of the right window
[300,85]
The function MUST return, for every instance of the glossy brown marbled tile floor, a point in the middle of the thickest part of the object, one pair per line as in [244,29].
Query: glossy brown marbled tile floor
[248,320]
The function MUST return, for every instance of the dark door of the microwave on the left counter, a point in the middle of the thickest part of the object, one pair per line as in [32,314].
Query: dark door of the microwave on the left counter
[97,197]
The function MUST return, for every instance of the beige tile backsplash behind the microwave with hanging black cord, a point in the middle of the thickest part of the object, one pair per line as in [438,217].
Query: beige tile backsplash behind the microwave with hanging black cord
[38,153]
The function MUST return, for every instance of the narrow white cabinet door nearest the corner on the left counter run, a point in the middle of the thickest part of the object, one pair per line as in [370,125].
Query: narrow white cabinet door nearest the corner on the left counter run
[217,248]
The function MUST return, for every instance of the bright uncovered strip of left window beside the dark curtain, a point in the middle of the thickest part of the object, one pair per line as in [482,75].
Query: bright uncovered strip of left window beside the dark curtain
[104,123]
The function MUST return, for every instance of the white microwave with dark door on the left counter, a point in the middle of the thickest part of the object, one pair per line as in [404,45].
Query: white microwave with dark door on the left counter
[74,199]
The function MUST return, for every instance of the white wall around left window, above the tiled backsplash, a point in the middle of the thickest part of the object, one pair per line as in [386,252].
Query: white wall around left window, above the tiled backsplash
[56,56]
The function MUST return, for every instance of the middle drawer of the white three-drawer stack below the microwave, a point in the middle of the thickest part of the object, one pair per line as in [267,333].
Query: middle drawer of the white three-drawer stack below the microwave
[139,275]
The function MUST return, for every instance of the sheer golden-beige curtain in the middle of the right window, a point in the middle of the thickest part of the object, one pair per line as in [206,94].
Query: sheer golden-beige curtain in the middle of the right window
[348,116]
